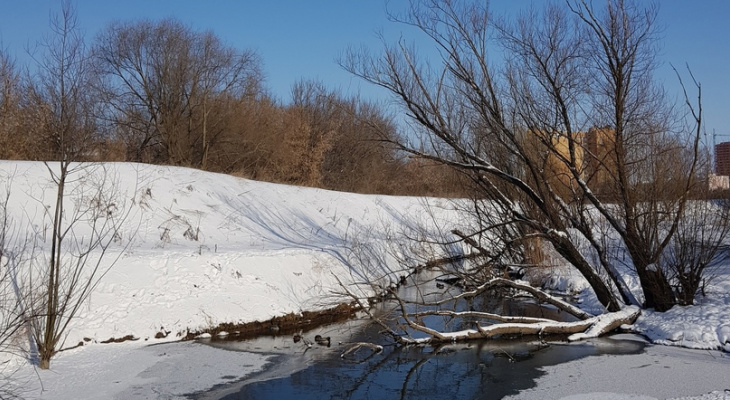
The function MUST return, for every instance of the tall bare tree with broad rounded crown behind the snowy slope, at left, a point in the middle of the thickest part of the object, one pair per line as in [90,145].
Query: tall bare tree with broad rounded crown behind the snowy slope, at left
[166,87]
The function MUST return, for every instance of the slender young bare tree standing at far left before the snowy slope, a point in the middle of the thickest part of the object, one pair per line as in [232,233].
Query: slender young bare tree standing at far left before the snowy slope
[74,261]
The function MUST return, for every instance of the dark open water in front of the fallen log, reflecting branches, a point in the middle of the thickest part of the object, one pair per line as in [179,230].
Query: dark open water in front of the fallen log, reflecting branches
[476,370]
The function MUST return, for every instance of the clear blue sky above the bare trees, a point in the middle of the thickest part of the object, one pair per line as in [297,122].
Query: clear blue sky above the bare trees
[302,39]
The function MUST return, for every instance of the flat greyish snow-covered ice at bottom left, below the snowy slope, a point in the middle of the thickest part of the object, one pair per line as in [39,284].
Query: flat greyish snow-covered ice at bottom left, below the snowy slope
[130,371]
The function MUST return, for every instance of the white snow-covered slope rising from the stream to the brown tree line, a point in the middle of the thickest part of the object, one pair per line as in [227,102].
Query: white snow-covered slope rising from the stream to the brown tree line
[198,249]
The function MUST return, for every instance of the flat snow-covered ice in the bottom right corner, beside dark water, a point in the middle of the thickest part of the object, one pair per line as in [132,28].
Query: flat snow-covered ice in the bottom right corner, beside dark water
[660,373]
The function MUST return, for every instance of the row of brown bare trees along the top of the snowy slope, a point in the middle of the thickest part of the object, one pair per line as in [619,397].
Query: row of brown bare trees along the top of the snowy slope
[162,92]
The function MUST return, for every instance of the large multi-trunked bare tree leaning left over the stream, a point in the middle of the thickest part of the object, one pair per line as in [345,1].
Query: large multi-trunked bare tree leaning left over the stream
[568,135]
